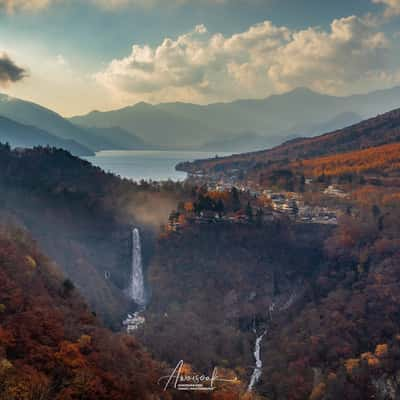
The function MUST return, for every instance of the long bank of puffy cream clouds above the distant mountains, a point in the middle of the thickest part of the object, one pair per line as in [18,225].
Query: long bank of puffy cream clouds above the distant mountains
[202,67]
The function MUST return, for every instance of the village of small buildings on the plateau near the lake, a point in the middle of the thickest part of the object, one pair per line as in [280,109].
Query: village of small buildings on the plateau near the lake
[262,205]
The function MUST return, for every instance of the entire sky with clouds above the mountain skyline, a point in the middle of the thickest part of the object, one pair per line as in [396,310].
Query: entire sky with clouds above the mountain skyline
[74,56]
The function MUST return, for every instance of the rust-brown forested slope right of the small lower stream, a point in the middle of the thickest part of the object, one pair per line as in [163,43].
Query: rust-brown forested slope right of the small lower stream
[344,342]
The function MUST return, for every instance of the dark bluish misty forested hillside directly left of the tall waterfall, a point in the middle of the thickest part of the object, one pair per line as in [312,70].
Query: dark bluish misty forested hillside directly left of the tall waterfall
[82,218]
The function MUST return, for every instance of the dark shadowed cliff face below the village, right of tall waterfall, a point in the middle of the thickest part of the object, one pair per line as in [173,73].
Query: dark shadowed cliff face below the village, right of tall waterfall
[212,285]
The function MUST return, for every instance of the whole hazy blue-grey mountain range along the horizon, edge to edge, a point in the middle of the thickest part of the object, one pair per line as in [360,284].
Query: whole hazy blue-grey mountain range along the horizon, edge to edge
[239,126]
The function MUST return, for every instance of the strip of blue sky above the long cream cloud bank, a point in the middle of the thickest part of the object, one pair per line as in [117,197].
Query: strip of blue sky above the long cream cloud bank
[96,34]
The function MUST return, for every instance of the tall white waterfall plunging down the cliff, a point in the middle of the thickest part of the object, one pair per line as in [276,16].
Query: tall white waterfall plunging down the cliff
[137,292]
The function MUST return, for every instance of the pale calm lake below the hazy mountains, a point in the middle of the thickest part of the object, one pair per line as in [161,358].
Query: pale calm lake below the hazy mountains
[147,164]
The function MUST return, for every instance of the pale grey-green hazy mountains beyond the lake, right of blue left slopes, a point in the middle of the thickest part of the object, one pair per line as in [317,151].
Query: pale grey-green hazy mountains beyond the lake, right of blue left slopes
[299,112]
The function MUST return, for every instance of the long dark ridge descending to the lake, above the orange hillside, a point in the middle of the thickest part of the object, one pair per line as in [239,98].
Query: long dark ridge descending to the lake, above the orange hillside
[381,130]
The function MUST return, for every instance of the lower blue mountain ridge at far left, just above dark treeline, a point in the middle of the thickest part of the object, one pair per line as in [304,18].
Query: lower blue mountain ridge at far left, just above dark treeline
[19,135]
